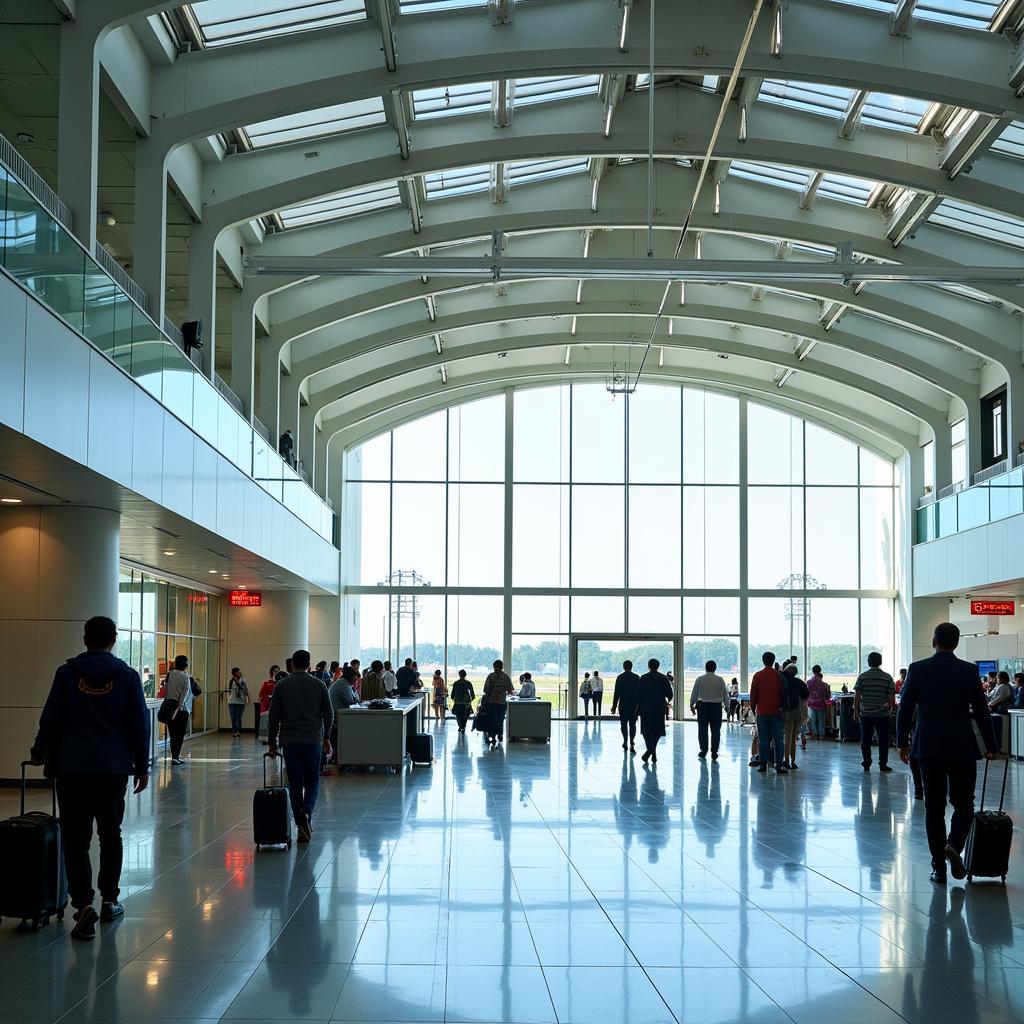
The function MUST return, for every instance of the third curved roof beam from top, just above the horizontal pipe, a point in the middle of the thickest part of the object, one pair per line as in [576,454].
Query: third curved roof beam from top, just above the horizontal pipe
[748,208]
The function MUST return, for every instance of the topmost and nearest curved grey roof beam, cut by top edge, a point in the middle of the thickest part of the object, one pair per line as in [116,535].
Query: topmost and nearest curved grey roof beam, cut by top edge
[219,90]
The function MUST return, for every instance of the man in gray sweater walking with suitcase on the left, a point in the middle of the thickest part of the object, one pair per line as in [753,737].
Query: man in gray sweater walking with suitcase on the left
[301,719]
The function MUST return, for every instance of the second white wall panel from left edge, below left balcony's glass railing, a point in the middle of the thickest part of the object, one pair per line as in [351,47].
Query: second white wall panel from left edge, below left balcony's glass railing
[57,385]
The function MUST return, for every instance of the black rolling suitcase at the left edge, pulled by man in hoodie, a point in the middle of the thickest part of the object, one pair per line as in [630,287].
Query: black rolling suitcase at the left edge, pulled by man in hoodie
[33,883]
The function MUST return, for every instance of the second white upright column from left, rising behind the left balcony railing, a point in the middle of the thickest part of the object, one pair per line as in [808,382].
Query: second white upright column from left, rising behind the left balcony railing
[150,261]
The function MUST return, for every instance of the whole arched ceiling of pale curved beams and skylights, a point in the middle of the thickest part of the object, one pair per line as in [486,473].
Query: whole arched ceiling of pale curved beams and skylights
[411,127]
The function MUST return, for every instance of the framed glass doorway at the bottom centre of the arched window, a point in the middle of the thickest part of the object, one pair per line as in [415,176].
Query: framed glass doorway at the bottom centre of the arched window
[605,654]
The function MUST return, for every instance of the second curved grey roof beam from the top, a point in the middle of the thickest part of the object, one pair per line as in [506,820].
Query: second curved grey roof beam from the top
[255,184]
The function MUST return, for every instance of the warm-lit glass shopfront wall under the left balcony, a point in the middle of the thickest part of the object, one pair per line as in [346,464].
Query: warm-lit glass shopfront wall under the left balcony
[158,621]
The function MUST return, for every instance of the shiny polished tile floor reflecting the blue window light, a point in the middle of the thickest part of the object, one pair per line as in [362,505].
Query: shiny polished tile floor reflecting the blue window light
[538,884]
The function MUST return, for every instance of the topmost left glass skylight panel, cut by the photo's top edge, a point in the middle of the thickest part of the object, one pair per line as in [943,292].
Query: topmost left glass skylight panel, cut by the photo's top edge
[226,22]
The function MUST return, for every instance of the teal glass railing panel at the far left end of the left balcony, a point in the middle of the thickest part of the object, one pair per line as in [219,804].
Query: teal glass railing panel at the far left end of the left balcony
[40,254]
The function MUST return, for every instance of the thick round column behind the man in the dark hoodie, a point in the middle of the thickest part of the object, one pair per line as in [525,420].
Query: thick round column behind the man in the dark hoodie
[59,568]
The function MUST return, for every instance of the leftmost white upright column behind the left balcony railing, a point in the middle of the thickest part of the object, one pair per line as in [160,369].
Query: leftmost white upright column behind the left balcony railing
[78,120]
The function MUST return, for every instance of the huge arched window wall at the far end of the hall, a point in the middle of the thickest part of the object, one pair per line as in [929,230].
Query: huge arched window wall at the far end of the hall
[626,519]
